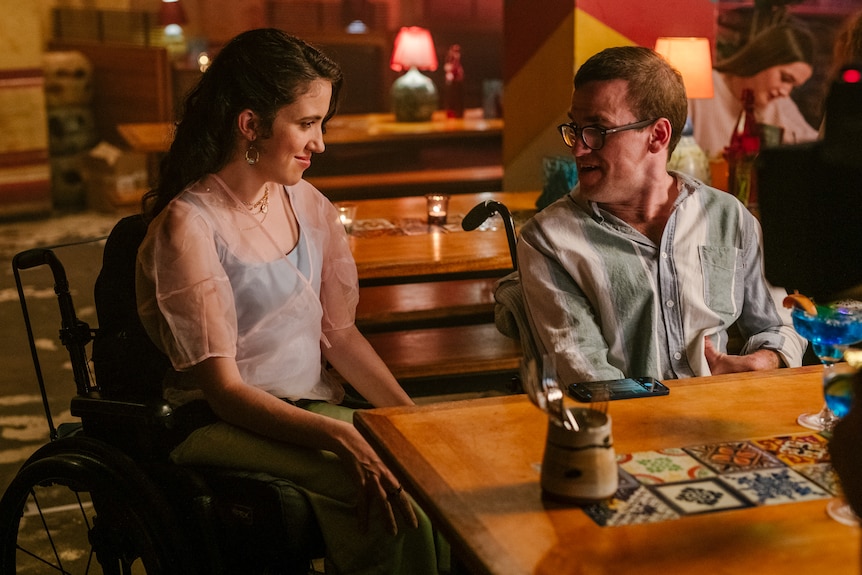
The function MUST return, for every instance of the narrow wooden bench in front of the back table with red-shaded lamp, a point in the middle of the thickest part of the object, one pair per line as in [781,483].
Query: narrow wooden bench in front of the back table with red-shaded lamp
[463,180]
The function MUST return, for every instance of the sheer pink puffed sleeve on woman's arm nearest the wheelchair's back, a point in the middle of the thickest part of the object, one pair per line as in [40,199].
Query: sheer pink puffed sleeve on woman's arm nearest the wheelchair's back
[185,299]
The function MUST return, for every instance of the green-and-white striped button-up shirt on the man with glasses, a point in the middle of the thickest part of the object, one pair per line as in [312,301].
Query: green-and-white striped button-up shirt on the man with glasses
[610,303]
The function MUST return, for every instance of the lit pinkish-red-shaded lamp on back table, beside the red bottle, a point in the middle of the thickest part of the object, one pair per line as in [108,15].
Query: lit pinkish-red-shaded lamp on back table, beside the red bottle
[414,96]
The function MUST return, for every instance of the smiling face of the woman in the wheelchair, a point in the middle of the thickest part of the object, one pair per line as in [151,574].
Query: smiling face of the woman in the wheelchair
[297,134]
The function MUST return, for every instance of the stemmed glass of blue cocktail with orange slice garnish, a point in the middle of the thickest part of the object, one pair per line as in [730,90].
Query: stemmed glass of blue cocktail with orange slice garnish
[831,331]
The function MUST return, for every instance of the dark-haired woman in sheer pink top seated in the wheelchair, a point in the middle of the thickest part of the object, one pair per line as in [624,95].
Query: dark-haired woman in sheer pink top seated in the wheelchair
[246,281]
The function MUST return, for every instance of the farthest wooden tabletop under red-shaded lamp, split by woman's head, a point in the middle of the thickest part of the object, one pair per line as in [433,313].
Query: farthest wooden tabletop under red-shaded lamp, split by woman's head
[347,129]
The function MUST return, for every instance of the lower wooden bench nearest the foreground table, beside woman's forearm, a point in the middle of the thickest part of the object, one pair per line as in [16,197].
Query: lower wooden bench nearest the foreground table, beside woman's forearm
[450,360]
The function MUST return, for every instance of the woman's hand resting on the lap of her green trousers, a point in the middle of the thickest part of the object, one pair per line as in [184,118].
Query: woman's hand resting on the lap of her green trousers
[377,486]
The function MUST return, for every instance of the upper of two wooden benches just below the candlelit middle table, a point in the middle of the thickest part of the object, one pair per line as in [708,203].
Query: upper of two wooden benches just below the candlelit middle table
[426,304]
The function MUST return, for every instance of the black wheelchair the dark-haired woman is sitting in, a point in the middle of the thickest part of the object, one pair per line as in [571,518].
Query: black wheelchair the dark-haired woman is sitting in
[102,496]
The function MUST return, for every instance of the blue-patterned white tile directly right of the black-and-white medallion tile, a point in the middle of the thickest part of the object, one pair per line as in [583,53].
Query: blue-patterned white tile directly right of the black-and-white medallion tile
[774,486]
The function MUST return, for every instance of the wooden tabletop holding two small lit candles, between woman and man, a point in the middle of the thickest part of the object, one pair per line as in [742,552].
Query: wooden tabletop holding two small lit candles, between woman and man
[439,254]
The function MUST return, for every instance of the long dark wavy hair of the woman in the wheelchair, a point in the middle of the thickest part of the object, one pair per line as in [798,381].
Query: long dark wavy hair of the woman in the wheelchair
[262,70]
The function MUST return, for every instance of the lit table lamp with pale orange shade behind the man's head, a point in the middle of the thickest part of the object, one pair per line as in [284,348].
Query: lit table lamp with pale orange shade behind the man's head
[691,56]
